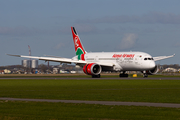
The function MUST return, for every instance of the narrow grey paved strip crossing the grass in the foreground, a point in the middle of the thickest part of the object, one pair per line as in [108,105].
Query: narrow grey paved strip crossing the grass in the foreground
[169,105]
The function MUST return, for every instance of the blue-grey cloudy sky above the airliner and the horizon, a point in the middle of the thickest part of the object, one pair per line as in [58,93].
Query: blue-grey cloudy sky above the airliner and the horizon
[151,26]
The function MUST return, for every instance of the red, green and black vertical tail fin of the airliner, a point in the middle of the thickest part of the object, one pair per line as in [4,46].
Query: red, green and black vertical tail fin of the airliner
[79,49]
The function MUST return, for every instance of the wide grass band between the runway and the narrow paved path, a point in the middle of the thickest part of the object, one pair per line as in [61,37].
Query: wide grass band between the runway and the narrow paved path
[159,91]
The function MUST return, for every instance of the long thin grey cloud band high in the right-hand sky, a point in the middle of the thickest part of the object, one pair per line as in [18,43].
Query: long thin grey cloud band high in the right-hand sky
[149,18]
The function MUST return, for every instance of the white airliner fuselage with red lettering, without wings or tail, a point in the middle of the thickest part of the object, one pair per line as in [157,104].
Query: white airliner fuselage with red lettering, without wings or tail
[122,61]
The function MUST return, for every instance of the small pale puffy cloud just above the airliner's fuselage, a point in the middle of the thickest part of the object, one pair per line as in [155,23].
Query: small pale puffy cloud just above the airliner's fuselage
[128,41]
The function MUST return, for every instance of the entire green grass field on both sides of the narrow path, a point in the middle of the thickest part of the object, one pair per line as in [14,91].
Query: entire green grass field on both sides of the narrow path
[159,91]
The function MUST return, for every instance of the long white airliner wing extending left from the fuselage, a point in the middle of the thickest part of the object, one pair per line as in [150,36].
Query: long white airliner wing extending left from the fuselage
[62,60]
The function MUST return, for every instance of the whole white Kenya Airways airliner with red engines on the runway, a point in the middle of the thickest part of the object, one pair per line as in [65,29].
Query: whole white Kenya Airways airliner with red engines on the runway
[93,63]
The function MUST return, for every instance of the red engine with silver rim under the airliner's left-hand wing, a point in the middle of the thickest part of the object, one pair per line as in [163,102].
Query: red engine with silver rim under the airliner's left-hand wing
[92,69]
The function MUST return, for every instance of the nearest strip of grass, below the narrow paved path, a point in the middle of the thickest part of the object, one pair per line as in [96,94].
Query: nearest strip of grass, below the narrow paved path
[56,111]
